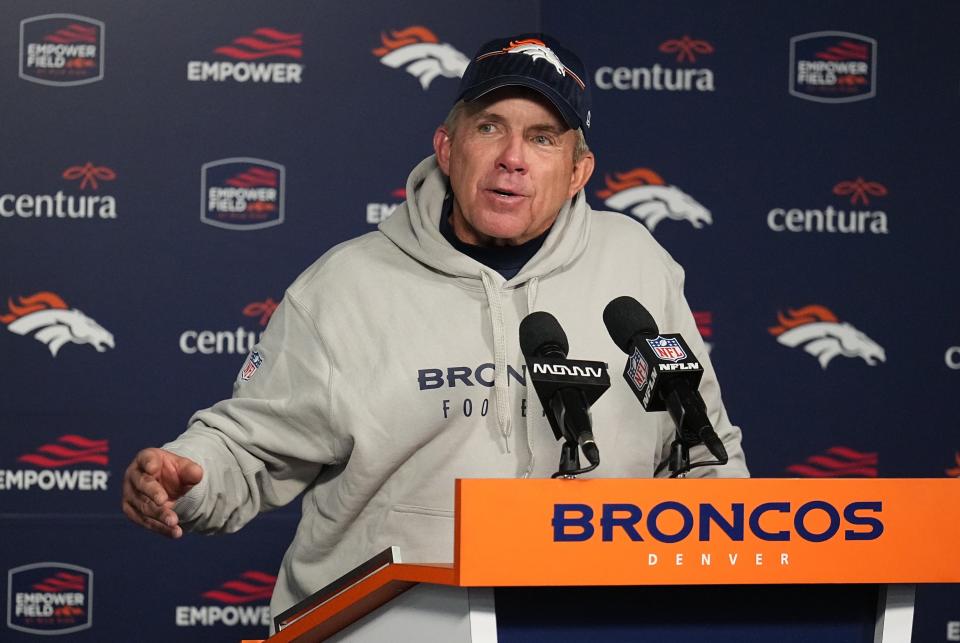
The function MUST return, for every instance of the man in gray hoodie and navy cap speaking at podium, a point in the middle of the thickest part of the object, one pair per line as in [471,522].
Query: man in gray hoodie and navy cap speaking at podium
[392,366]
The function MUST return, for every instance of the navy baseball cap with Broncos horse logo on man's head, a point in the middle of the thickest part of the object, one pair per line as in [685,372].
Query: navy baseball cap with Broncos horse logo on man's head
[536,61]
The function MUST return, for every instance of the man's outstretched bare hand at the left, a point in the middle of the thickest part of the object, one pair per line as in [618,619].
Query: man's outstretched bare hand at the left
[152,483]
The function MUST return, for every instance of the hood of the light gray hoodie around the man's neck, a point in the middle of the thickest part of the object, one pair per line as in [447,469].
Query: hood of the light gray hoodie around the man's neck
[415,228]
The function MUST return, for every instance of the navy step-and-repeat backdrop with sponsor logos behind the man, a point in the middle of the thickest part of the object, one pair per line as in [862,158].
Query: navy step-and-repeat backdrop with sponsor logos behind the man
[169,168]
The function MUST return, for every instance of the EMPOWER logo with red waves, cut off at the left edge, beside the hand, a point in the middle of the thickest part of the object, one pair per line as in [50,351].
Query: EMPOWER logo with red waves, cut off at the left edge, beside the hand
[57,466]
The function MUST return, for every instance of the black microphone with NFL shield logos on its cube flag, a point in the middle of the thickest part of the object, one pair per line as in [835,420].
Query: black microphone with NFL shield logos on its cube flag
[662,372]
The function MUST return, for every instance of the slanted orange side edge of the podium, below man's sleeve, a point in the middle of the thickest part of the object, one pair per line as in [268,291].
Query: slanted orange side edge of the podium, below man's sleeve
[360,599]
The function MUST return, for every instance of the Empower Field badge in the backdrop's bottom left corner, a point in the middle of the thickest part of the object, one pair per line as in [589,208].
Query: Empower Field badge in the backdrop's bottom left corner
[50,598]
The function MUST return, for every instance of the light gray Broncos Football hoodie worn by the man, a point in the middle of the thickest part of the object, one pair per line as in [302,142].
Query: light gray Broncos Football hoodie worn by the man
[393,367]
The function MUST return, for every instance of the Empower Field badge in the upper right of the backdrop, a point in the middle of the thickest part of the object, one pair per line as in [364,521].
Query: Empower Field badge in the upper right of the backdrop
[833,67]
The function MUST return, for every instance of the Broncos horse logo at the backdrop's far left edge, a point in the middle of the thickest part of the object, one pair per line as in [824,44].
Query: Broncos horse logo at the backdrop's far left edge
[54,323]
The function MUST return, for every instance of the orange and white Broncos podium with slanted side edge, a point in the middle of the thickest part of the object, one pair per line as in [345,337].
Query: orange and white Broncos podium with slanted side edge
[657,560]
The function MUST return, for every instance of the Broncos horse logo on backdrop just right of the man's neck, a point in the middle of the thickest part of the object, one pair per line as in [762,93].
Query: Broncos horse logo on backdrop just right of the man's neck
[644,195]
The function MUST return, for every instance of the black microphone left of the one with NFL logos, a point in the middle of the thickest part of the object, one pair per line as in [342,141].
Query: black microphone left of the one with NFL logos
[566,387]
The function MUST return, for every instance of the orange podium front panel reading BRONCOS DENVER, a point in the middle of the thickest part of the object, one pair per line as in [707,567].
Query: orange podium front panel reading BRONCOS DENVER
[713,531]
